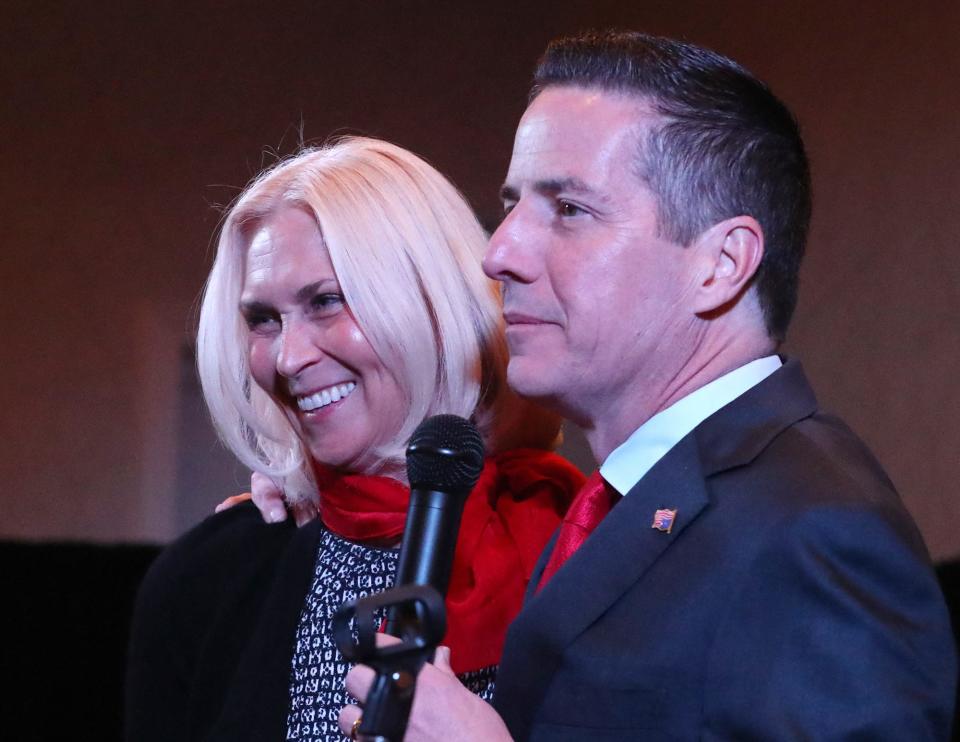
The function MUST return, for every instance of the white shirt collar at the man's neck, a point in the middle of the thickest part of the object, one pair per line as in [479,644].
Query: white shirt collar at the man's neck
[633,458]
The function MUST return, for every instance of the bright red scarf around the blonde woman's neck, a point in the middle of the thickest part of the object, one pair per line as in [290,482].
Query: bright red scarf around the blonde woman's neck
[517,504]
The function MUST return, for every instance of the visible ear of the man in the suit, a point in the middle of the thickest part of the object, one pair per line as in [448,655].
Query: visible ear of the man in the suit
[729,254]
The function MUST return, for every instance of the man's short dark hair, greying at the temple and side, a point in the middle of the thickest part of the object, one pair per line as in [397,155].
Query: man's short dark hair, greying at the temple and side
[727,146]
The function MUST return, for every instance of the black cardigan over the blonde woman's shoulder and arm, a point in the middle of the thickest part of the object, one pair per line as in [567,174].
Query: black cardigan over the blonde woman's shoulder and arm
[214,630]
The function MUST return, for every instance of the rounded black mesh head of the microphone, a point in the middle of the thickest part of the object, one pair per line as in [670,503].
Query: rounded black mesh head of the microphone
[445,454]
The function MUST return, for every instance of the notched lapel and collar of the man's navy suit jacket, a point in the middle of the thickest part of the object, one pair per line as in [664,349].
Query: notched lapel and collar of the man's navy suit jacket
[625,545]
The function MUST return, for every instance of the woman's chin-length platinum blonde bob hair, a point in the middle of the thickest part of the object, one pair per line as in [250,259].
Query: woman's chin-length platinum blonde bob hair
[406,249]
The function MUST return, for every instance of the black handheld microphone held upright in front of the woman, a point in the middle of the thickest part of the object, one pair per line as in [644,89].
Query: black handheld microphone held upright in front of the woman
[444,461]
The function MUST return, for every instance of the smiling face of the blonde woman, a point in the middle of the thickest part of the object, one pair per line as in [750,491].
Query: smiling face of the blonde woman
[306,350]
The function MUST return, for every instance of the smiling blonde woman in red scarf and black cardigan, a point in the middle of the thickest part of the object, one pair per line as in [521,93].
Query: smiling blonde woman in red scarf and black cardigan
[346,304]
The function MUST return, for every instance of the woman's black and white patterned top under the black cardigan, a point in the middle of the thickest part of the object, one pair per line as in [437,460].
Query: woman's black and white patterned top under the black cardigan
[344,571]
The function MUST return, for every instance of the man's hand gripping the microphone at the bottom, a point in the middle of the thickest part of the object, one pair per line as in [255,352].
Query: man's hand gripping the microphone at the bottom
[443,709]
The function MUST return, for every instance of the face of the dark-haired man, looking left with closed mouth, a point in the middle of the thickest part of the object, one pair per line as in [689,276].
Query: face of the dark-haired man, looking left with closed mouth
[597,305]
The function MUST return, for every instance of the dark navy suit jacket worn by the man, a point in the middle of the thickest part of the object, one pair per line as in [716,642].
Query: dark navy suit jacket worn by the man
[793,598]
